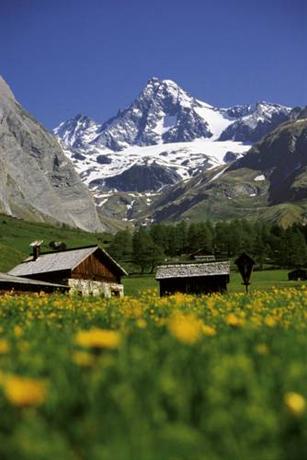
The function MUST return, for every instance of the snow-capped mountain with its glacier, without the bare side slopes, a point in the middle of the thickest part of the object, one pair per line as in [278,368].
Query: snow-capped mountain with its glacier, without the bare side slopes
[164,136]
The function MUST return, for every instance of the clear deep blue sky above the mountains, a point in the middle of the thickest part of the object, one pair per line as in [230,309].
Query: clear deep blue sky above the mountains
[63,57]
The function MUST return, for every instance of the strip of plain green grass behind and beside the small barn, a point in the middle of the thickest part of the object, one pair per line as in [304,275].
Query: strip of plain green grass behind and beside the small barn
[260,280]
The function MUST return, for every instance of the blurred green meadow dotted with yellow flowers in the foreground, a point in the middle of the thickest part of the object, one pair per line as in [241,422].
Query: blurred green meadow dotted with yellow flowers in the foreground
[173,378]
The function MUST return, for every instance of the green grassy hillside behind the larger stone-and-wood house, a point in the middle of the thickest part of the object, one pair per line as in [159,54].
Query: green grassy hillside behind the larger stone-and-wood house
[16,235]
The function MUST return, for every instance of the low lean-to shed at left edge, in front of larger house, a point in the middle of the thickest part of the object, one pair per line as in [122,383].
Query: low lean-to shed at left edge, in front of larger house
[18,285]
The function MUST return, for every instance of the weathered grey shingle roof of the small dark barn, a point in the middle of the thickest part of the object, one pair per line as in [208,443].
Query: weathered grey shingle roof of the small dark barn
[192,270]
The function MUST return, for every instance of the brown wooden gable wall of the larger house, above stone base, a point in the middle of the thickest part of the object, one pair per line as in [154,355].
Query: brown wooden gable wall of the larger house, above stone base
[94,269]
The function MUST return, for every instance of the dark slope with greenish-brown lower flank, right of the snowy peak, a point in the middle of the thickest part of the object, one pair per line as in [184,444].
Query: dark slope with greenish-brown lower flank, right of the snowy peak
[268,183]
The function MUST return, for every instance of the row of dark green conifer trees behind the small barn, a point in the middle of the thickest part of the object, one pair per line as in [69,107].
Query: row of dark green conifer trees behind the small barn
[271,244]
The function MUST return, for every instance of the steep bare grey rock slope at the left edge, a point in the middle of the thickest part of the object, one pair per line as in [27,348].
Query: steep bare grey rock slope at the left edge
[37,181]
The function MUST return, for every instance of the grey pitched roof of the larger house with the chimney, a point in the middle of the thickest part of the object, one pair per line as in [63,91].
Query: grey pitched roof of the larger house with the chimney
[61,260]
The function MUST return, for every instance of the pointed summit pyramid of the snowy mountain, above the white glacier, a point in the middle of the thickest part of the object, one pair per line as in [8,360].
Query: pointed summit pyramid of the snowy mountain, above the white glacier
[163,113]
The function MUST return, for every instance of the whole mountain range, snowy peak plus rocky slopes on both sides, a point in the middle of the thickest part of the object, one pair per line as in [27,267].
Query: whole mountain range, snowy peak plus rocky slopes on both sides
[166,156]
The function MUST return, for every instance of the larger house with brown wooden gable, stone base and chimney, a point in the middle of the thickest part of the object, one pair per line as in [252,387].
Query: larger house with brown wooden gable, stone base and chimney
[87,270]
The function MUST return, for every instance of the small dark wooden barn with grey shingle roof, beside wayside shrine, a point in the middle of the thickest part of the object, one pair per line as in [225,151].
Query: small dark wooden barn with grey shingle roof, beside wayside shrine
[196,278]
